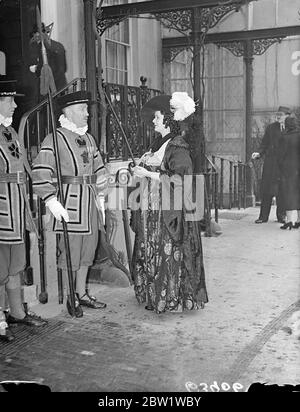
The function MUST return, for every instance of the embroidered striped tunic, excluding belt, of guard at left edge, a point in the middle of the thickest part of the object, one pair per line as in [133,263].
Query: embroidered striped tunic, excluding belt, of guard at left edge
[12,207]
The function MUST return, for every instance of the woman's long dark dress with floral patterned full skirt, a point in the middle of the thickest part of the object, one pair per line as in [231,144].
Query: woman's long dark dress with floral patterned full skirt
[168,258]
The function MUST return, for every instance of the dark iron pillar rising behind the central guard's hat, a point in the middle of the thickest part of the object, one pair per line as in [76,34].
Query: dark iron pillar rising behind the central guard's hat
[90,64]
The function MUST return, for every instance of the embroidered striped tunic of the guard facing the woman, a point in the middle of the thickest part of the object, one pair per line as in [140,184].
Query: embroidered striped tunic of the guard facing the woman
[79,156]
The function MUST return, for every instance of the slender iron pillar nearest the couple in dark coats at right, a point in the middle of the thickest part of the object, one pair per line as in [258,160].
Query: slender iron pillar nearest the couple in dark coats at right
[248,59]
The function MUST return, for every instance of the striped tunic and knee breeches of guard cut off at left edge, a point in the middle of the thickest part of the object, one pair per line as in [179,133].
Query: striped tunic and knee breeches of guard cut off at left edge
[15,212]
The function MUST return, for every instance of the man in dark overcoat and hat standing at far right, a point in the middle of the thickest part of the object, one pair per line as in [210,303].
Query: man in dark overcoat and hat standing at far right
[269,148]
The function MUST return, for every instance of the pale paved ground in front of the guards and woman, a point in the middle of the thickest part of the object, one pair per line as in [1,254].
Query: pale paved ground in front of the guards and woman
[239,338]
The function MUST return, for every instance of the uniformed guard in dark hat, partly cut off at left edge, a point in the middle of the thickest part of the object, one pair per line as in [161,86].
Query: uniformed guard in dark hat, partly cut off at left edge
[14,215]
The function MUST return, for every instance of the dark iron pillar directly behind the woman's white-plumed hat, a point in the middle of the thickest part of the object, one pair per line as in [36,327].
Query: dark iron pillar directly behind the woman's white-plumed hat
[199,160]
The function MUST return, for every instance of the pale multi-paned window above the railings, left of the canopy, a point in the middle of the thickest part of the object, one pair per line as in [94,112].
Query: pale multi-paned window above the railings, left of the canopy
[116,49]
